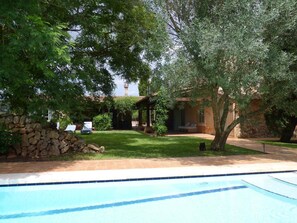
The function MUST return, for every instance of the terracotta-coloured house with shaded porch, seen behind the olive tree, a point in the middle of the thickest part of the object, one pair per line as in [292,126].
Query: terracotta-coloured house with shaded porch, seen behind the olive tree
[189,116]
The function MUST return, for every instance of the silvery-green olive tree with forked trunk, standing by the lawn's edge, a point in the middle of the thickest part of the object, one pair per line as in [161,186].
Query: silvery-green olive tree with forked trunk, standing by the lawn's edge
[229,52]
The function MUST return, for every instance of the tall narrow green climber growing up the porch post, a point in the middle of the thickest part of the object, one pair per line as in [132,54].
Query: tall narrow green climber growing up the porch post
[161,109]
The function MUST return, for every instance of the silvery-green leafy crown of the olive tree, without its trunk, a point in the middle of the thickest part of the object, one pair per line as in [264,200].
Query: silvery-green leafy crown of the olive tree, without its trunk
[232,45]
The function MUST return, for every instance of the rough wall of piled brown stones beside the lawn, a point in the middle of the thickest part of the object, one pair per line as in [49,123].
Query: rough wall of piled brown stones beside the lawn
[38,142]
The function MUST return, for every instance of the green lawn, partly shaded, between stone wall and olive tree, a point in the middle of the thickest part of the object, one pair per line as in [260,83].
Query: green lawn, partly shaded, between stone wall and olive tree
[132,144]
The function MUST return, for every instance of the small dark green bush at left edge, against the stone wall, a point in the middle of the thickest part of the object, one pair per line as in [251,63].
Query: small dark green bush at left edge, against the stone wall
[7,139]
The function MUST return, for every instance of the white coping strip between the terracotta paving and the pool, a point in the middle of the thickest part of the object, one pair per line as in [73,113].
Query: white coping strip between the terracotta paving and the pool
[126,174]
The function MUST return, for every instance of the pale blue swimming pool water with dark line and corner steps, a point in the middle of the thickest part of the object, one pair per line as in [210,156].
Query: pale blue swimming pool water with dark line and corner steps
[244,198]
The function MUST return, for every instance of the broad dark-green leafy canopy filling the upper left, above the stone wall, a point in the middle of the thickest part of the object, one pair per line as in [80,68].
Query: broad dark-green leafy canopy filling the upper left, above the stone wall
[54,52]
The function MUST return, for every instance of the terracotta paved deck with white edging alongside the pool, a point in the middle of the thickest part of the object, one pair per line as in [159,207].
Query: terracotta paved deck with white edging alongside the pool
[276,159]
